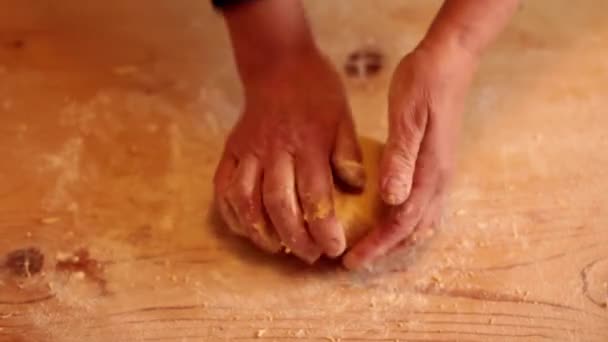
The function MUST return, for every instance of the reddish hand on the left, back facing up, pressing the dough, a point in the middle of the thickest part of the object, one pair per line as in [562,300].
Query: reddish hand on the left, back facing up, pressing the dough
[274,181]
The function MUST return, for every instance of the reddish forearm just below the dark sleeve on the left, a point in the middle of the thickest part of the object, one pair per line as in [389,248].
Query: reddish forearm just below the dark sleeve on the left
[264,31]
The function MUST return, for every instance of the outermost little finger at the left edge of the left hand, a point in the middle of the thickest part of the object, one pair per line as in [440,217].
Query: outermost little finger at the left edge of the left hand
[221,180]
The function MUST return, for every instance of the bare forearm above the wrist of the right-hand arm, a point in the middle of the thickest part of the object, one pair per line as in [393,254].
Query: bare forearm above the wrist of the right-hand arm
[469,25]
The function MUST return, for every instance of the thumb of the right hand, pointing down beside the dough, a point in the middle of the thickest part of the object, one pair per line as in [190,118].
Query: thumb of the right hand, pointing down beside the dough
[406,132]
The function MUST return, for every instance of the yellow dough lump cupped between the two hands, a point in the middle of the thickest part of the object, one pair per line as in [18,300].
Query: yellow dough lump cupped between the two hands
[359,212]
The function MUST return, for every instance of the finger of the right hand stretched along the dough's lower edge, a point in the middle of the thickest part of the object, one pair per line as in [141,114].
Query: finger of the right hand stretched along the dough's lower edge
[400,223]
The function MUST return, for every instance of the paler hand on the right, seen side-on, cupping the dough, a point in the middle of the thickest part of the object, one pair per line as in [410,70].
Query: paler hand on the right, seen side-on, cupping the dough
[426,99]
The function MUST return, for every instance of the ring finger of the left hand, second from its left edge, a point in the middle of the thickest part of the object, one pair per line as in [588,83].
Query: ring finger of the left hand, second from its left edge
[244,197]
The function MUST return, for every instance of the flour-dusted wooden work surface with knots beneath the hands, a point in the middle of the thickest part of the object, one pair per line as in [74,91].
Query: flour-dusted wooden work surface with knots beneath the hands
[112,116]
